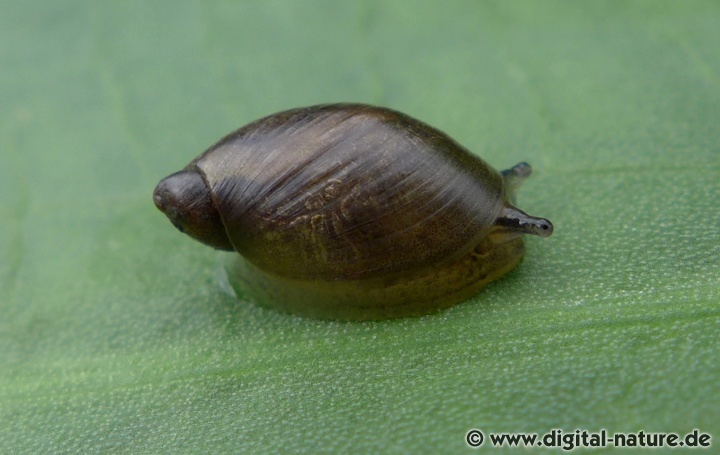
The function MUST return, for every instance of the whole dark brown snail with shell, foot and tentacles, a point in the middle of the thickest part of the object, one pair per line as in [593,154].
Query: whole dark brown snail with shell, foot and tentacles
[349,211]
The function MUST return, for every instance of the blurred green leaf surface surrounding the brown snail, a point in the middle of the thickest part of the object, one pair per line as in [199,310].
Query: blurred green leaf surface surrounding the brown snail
[119,335]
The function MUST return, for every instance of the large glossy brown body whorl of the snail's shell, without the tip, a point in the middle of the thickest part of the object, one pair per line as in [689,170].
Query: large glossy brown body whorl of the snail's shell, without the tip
[349,192]
